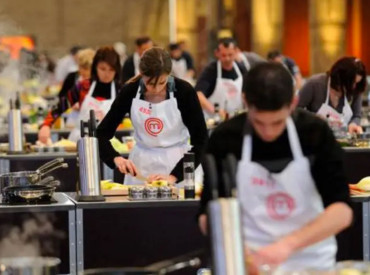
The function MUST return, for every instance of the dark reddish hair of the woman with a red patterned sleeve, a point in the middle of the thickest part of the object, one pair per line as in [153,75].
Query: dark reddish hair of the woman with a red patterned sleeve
[110,56]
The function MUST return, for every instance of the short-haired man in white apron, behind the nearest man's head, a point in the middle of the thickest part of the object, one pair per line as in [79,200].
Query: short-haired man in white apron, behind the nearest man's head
[214,87]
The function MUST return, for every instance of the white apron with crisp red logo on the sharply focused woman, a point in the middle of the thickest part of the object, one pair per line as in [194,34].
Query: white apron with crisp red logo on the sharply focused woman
[160,134]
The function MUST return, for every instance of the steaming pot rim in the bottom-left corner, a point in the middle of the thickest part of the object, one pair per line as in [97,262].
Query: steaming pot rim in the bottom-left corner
[29,266]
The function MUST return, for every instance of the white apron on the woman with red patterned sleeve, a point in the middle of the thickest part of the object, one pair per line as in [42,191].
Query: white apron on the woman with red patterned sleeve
[91,103]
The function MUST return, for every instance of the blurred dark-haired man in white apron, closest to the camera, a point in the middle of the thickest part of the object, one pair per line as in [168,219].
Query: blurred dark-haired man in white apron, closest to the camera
[281,193]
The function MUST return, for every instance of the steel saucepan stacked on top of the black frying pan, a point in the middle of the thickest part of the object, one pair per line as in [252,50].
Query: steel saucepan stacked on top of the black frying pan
[25,178]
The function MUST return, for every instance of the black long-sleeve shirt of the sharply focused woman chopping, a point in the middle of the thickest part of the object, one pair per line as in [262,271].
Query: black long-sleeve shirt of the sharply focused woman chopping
[191,113]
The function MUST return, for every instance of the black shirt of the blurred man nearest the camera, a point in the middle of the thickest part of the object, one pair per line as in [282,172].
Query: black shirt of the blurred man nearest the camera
[317,142]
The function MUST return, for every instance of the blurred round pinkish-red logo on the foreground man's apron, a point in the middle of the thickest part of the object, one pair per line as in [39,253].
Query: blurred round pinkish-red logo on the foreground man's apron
[280,206]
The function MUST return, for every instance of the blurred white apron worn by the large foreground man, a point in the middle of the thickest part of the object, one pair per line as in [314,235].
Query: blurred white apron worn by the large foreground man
[276,204]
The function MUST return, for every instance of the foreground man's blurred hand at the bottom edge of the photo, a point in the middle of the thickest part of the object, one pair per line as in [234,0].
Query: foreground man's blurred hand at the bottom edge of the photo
[273,254]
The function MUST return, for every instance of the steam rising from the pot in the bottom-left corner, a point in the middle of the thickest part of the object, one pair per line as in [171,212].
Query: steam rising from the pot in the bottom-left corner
[35,235]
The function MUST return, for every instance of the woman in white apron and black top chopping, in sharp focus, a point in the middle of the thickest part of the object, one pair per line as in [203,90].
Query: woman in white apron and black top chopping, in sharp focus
[165,114]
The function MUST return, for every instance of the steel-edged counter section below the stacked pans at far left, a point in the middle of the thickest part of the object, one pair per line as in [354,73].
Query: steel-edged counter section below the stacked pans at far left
[56,223]
